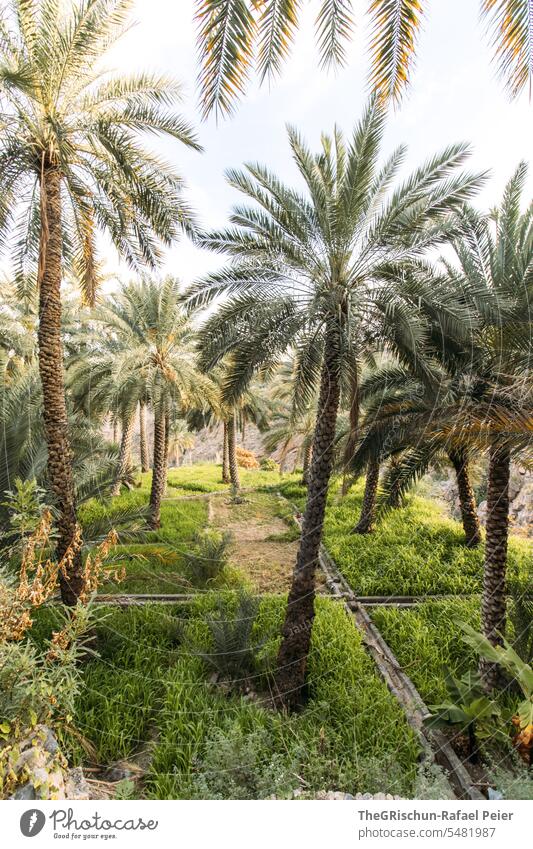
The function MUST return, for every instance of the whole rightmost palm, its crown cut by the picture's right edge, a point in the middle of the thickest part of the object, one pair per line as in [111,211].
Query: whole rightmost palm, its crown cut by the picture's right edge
[496,254]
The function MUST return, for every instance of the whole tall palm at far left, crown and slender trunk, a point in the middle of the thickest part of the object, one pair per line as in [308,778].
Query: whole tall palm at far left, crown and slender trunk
[72,162]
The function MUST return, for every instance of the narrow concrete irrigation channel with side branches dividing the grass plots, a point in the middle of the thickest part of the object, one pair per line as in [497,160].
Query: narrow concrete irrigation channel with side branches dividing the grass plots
[434,744]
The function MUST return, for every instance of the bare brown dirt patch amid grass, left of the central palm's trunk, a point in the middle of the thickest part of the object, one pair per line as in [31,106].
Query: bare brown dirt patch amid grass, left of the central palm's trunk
[264,544]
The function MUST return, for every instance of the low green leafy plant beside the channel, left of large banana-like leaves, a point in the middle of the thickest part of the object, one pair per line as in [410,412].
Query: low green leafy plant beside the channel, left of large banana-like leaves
[467,708]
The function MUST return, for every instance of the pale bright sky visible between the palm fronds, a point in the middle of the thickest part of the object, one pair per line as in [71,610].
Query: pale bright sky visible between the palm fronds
[455,96]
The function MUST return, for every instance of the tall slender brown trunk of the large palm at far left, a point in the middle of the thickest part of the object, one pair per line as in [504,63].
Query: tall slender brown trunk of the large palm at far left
[59,465]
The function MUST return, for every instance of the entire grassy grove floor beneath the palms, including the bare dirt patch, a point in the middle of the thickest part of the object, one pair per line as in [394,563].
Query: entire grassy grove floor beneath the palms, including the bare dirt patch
[152,685]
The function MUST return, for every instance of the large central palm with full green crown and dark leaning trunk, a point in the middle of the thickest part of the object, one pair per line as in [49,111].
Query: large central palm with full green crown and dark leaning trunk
[308,270]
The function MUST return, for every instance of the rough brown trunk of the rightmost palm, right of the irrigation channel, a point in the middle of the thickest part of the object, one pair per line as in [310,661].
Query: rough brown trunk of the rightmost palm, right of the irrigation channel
[493,605]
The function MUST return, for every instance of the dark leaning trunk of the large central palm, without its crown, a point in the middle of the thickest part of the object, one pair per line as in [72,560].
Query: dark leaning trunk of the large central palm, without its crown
[296,633]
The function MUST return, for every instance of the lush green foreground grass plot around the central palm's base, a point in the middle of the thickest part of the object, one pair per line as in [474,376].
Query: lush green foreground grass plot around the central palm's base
[149,681]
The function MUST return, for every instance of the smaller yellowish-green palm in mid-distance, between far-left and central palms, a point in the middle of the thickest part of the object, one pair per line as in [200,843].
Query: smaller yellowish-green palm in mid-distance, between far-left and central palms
[147,354]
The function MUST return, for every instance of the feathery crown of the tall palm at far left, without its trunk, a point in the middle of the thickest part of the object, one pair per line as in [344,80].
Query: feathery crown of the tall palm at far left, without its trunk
[59,107]
